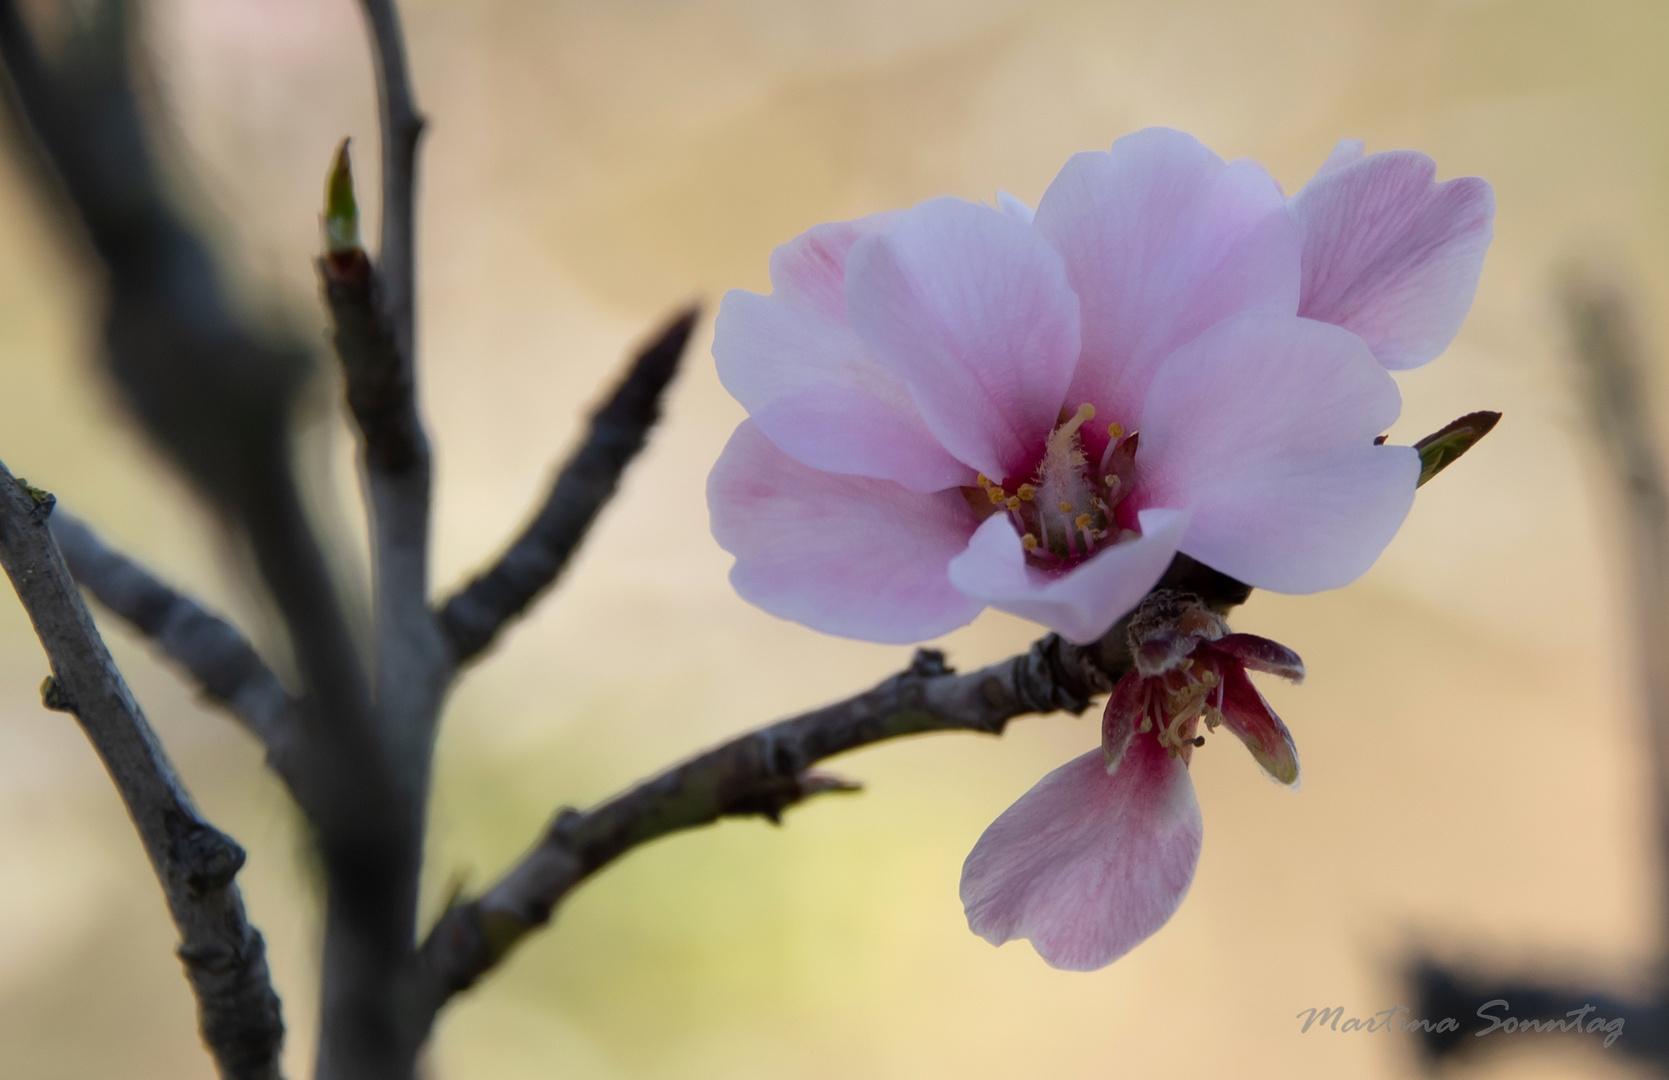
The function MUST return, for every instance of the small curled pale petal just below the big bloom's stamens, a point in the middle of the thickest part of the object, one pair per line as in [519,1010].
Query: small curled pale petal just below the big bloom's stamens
[1086,602]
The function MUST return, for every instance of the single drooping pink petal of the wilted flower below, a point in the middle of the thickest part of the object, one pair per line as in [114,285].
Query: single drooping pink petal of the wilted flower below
[1087,866]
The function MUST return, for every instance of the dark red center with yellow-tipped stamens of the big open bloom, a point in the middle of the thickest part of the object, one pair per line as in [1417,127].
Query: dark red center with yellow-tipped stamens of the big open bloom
[1066,510]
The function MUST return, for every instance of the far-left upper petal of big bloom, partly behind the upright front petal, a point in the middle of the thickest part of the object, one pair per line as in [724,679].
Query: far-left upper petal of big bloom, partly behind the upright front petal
[795,363]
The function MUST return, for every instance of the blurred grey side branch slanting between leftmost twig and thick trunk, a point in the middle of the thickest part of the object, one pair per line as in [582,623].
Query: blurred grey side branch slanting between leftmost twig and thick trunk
[209,649]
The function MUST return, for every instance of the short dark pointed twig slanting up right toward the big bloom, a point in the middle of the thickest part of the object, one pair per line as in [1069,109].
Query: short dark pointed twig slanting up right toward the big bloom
[620,430]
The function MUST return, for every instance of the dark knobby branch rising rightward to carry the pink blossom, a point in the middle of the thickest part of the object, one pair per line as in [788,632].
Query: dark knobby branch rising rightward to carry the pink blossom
[769,770]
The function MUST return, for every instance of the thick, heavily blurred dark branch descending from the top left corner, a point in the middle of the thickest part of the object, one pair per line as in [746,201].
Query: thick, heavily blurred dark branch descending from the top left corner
[219,400]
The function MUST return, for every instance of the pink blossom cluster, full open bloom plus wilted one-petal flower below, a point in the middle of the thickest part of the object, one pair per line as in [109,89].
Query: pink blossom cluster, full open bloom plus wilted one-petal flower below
[959,406]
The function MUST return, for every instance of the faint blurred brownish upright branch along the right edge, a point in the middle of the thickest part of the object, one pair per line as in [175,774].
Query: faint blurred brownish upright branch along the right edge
[1618,400]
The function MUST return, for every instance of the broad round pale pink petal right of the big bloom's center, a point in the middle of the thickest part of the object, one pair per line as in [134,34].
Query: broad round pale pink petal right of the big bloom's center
[1266,426]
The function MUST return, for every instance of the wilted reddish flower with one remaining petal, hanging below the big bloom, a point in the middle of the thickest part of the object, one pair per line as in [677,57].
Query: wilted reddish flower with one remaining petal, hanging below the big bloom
[1101,852]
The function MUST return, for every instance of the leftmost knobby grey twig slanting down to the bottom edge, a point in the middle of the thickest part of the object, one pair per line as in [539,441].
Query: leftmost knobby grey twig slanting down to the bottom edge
[196,864]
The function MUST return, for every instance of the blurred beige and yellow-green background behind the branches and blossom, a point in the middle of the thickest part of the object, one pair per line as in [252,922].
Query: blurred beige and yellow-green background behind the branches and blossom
[1475,770]
